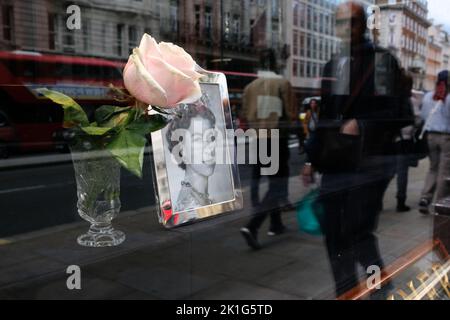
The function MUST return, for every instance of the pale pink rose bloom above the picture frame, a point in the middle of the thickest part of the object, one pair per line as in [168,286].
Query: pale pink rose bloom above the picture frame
[162,74]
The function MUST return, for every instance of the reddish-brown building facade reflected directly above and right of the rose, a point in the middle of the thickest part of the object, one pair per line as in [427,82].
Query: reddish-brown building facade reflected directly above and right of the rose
[219,33]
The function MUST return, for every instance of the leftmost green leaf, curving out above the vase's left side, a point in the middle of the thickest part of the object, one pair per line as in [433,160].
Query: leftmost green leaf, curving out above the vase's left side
[73,113]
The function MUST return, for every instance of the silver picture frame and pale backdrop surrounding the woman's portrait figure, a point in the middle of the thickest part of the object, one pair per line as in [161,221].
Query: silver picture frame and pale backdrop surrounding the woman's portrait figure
[167,177]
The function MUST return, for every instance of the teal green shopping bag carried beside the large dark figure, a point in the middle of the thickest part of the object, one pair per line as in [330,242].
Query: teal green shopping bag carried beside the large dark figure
[308,214]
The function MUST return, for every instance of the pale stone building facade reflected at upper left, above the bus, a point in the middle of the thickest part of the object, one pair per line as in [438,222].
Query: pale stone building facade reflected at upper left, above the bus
[108,28]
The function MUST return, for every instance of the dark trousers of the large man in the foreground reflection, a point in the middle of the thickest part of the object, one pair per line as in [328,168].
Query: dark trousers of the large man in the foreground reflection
[351,205]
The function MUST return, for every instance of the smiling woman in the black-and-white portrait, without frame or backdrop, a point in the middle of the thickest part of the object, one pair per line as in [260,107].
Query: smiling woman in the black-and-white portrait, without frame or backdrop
[198,123]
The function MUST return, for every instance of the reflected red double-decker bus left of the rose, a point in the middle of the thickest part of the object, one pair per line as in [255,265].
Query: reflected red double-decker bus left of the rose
[34,119]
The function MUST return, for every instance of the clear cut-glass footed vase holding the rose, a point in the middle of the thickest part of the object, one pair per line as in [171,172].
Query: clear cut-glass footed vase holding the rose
[97,175]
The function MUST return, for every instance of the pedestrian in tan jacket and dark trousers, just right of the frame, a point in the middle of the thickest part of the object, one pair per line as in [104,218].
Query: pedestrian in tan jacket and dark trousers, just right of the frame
[268,104]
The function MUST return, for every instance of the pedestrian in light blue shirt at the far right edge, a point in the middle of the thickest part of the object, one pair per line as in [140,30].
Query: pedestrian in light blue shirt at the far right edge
[436,113]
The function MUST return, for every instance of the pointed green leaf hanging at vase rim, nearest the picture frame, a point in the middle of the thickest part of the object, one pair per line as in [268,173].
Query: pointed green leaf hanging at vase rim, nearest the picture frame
[128,148]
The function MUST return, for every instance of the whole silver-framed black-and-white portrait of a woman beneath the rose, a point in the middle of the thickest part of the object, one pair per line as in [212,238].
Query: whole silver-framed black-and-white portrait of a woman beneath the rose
[196,177]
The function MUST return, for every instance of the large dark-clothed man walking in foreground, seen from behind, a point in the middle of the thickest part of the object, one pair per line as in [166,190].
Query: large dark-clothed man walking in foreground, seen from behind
[359,88]
